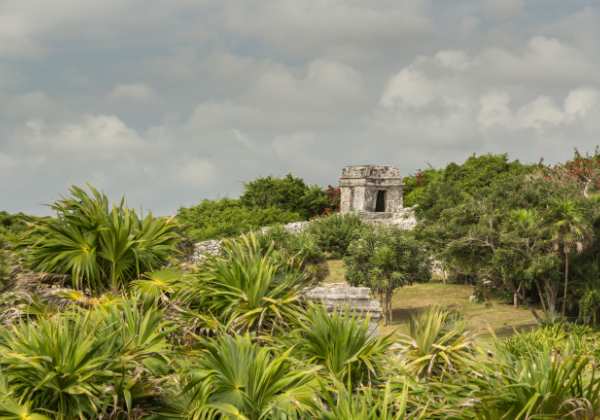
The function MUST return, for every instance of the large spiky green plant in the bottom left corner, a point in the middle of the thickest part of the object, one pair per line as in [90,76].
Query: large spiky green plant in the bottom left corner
[61,365]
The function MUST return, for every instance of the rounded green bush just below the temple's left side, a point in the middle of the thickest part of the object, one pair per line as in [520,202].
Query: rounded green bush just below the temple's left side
[335,233]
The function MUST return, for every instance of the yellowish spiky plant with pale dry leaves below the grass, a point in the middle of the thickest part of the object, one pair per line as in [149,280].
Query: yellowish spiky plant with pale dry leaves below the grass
[435,346]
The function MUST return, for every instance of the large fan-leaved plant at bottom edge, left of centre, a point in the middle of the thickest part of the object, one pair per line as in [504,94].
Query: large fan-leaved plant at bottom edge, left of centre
[236,378]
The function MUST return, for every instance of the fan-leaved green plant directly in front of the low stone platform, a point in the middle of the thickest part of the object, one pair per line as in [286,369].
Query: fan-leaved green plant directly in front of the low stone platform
[343,344]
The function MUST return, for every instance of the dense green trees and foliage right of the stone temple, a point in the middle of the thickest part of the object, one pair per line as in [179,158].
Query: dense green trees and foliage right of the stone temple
[529,232]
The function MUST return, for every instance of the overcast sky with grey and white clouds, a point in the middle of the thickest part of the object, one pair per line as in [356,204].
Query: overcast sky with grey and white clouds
[171,102]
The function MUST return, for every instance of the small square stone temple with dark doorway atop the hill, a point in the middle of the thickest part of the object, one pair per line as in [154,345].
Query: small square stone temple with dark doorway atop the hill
[374,192]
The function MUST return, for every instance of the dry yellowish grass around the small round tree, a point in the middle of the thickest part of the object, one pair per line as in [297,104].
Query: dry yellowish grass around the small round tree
[497,316]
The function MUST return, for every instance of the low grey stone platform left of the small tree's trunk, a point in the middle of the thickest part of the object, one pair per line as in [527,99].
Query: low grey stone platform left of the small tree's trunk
[341,297]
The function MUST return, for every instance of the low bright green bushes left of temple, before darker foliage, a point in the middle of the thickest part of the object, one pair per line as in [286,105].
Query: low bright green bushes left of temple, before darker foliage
[227,218]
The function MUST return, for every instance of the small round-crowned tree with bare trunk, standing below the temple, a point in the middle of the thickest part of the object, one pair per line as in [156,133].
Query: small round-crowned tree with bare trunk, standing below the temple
[384,259]
